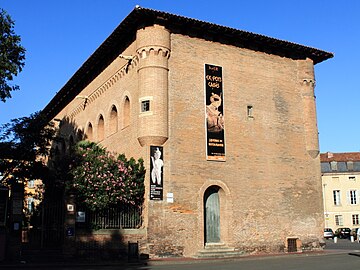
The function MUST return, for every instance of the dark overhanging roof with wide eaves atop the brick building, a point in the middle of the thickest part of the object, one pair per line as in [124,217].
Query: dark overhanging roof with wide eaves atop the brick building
[125,33]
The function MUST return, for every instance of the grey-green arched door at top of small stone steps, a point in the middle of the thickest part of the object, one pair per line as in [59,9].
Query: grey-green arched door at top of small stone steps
[212,215]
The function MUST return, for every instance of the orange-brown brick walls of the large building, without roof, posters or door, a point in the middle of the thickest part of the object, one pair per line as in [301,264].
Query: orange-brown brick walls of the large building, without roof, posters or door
[270,186]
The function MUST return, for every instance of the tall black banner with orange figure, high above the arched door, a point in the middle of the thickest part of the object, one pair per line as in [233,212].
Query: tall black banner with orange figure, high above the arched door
[214,105]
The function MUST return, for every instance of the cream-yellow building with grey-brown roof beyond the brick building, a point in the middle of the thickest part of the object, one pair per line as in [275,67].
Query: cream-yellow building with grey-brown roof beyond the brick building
[341,189]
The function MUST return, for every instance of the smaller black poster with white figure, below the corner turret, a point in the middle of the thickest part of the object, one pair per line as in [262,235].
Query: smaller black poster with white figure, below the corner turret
[156,172]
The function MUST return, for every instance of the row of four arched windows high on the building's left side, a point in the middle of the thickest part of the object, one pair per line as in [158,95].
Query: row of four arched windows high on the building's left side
[103,129]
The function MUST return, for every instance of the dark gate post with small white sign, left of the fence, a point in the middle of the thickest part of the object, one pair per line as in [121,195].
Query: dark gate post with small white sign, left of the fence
[69,247]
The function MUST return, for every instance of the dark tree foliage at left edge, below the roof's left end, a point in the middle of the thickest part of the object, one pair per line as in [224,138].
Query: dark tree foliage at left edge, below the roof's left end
[22,142]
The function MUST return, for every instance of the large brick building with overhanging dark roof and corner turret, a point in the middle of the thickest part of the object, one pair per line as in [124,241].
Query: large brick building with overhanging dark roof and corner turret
[226,123]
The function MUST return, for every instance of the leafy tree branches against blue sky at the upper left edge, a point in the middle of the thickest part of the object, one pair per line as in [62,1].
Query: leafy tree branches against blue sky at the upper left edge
[12,55]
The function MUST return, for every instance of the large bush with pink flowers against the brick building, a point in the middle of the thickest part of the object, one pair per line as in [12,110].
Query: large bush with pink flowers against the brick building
[101,180]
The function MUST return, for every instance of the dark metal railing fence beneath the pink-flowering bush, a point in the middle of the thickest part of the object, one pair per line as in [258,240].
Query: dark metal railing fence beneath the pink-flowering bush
[125,217]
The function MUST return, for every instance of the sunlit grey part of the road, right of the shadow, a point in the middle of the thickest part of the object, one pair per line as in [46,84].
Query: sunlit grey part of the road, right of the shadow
[343,255]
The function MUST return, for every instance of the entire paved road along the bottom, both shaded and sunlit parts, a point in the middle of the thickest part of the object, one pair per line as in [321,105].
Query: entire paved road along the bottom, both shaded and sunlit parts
[343,255]
